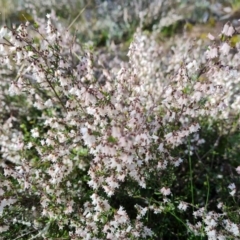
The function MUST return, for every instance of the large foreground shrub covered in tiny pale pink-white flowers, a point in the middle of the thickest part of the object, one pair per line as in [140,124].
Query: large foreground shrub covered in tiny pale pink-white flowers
[90,158]
